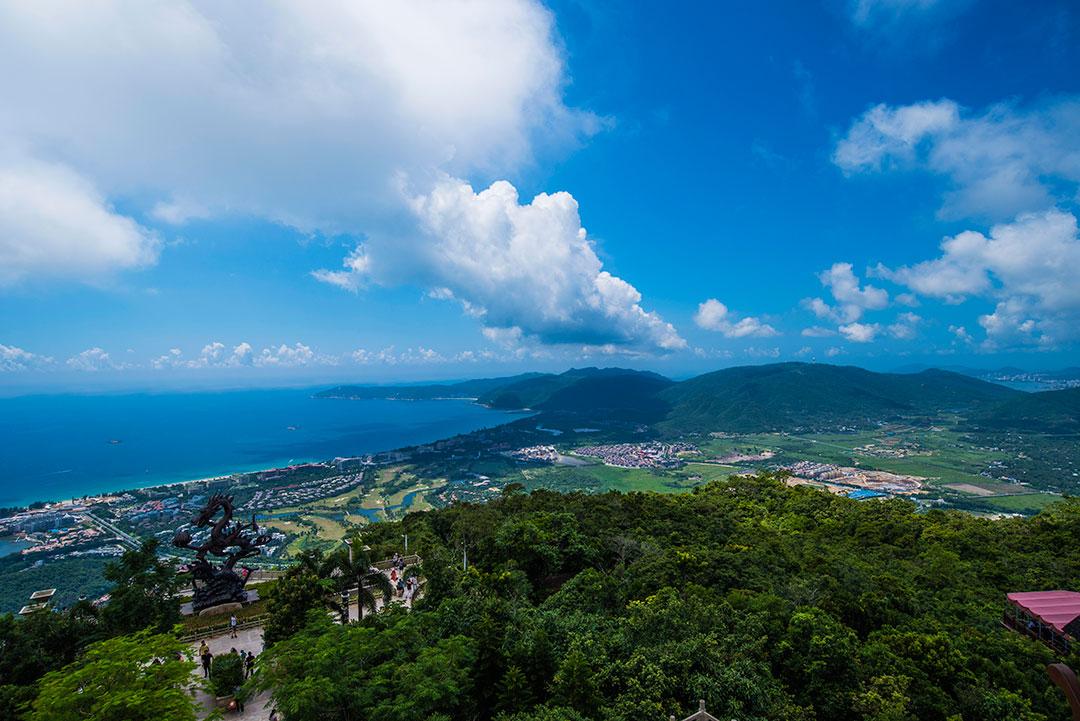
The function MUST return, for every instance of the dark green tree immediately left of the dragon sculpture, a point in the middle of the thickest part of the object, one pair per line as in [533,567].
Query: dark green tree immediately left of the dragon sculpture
[145,592]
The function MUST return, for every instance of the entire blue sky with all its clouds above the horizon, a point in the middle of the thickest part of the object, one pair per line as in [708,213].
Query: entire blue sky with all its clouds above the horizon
[193,196]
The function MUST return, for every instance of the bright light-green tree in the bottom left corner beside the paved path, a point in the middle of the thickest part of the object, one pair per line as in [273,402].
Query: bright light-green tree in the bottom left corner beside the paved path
[128,678]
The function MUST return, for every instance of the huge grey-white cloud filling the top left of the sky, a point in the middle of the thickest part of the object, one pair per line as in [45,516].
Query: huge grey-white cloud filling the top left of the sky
[301,113]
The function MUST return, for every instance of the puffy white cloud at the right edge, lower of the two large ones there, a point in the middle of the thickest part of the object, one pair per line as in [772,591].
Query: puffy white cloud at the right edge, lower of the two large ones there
[1029,267]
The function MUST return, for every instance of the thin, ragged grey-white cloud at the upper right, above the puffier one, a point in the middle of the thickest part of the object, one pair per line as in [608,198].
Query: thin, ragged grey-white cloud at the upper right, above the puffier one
[1000,164]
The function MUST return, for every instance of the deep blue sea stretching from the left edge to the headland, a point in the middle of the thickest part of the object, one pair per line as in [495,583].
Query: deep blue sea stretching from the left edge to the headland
[56,447]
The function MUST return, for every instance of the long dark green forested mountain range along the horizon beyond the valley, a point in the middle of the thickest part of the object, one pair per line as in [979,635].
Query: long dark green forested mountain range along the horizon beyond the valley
[786,397]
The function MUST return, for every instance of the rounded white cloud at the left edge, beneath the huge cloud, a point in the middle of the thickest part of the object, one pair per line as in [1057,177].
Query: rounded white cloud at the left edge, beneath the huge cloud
[56,224]
